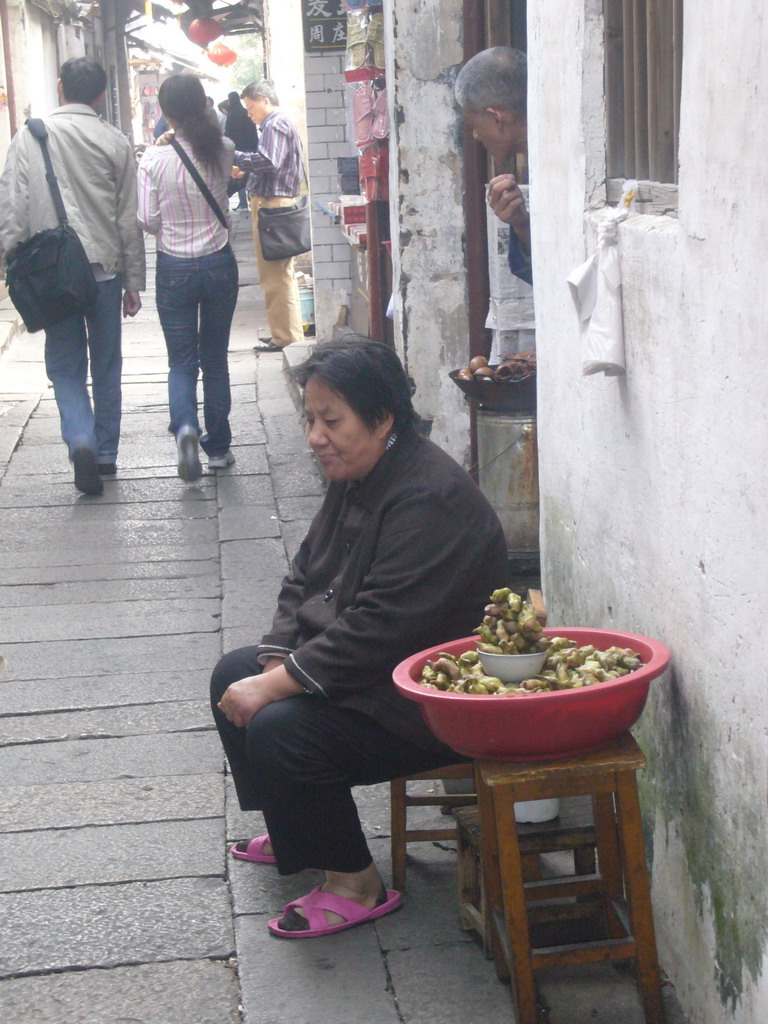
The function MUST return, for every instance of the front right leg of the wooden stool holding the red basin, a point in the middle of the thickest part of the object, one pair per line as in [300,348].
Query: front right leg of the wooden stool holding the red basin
[638,898]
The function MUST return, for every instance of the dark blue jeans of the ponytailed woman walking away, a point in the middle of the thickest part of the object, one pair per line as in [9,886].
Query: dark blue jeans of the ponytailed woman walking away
[196,303]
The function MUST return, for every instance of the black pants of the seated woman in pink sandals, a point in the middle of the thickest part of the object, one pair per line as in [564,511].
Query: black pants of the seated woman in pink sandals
[297,762]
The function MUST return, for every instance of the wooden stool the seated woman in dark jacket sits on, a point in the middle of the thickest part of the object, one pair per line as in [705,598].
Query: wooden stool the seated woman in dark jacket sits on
[402,800]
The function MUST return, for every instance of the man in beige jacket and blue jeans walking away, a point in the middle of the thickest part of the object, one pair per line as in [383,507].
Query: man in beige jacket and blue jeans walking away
[95,166]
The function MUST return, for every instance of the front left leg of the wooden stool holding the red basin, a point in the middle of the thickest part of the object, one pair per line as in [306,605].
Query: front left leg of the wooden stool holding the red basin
[516,911]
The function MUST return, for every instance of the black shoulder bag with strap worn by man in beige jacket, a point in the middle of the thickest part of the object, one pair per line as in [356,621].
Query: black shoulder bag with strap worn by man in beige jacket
[50,278]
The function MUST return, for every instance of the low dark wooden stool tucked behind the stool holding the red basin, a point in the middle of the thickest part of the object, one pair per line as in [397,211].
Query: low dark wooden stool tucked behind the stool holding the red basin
[572,831]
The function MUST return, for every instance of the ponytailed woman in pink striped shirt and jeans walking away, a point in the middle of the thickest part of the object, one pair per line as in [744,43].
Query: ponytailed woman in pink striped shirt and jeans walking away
[197,273]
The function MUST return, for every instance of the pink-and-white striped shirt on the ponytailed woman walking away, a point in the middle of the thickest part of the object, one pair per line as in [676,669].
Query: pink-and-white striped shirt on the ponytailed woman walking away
[172,205]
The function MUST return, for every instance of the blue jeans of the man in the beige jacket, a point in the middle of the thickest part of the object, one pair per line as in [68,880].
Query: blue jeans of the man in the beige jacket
[67,349]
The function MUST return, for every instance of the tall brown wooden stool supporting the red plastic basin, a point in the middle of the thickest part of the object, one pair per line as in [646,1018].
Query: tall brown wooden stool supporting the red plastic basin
[619,891]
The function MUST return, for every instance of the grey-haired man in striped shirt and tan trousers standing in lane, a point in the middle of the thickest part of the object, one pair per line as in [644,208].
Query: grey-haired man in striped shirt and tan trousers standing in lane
[274,181]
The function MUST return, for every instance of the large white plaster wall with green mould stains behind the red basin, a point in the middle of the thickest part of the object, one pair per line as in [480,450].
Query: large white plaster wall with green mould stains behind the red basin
[654,486]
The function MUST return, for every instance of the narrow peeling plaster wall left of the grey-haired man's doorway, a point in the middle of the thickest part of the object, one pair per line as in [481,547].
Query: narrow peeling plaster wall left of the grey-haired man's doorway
[426,183]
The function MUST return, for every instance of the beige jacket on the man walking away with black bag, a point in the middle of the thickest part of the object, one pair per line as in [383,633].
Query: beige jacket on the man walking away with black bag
[97,175]
